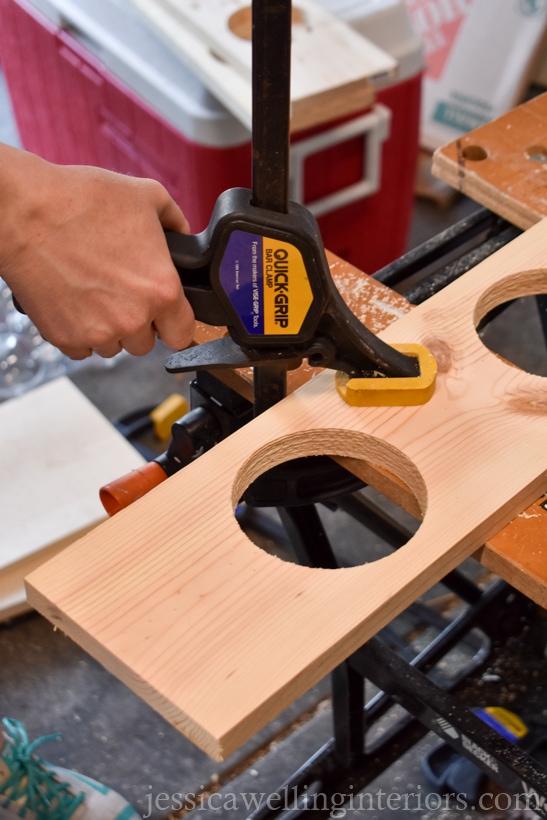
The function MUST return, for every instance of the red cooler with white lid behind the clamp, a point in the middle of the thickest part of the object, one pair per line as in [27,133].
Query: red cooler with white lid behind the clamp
[91,84]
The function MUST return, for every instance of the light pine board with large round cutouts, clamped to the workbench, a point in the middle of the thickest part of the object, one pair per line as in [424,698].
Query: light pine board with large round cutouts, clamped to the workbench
[220,637]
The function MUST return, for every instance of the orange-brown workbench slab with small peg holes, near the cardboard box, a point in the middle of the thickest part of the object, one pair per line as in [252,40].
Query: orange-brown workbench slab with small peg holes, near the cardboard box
[502,165]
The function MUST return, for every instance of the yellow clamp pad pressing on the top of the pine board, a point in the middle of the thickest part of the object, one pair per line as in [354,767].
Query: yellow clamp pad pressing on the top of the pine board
[392,392]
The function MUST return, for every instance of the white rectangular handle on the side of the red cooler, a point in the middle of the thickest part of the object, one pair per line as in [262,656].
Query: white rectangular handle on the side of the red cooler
[374,127]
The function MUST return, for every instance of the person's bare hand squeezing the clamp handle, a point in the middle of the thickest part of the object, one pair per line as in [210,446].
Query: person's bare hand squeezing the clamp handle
[84,252]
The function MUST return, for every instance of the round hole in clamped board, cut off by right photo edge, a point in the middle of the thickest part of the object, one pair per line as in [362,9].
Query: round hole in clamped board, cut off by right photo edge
[511,321]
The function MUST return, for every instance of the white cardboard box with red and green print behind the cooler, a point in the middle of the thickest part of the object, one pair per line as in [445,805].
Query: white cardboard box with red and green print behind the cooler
[479,58]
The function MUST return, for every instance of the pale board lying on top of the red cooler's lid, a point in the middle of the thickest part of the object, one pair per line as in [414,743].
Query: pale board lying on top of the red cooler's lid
[332,65]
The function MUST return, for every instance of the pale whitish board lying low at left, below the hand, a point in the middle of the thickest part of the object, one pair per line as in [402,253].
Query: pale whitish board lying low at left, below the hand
[57,450]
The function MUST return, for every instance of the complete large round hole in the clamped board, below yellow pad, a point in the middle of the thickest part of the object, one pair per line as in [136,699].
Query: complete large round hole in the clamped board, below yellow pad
[366,497]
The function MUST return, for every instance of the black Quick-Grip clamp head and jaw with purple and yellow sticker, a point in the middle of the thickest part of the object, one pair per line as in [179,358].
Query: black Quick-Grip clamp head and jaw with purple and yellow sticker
[264,275]
